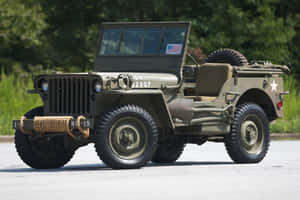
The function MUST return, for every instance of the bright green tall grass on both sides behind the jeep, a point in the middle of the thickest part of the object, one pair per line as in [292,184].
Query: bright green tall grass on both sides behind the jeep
[15,101]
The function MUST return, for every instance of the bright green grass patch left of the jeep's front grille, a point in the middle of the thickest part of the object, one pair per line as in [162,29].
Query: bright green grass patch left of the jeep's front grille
[14,100]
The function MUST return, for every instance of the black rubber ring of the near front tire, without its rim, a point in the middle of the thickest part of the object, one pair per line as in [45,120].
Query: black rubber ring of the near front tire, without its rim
[104,150]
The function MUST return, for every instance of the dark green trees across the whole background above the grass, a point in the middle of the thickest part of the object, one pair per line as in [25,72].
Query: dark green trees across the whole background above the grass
[59,33]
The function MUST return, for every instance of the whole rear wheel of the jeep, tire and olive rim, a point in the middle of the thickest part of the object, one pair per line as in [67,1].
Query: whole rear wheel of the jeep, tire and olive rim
[249,139]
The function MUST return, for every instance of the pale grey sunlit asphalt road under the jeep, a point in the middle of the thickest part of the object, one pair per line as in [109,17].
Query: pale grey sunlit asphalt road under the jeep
[204,172]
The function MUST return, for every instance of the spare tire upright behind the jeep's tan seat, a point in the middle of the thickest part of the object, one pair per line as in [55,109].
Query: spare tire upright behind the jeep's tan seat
[230,56]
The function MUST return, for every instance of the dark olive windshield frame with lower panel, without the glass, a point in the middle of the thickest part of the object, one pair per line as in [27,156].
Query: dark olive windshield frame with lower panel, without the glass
[164,63]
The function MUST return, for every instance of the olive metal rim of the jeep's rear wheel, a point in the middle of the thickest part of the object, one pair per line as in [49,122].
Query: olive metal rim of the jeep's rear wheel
[252,134]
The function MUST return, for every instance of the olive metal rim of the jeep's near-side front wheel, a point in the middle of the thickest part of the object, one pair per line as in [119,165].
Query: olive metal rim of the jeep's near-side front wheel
[128,137]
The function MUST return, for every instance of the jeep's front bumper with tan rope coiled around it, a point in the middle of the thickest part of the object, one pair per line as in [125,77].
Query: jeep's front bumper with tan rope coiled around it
[77,128]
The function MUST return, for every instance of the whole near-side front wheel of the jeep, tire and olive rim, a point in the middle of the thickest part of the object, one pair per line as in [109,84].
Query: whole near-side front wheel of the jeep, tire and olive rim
[126,137]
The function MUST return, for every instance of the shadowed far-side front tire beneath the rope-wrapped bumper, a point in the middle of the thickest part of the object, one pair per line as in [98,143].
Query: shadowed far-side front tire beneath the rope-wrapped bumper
[29,150]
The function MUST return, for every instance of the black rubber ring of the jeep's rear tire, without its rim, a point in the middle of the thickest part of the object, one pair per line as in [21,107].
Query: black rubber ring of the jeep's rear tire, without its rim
[233,141]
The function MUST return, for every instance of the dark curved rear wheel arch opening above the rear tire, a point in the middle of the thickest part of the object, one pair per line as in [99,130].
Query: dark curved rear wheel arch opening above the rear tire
[260,98]
